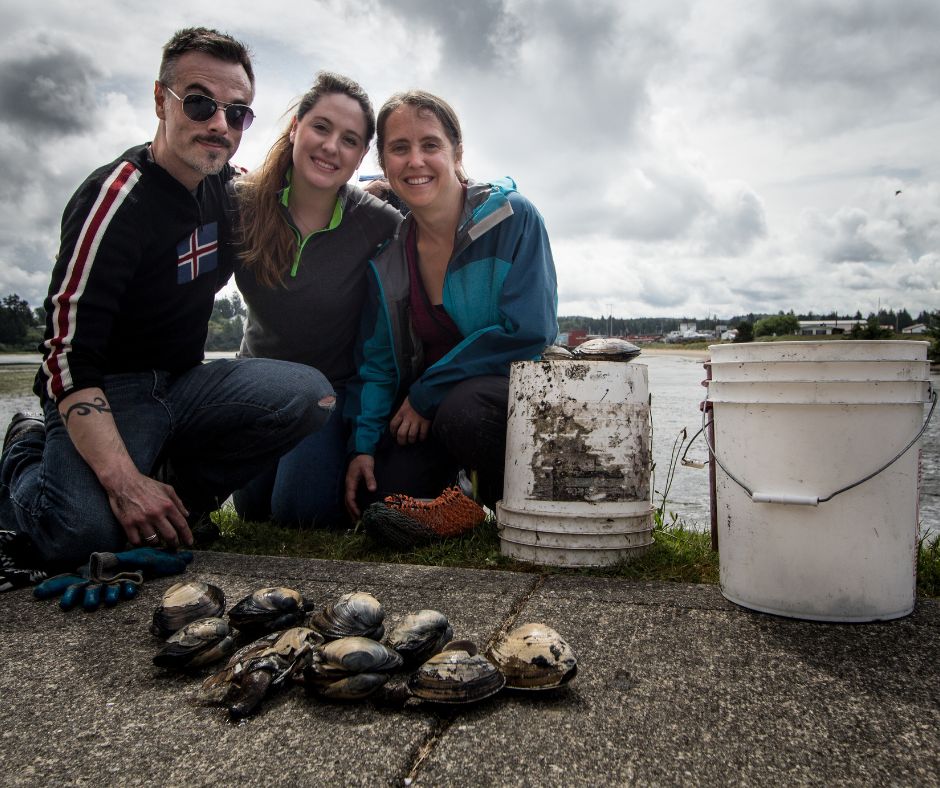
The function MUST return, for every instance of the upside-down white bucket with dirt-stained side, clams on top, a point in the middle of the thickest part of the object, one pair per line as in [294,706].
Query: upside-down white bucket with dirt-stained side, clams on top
[577,481]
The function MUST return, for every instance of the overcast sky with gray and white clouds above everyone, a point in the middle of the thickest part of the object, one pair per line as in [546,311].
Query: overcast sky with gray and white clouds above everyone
[690,157]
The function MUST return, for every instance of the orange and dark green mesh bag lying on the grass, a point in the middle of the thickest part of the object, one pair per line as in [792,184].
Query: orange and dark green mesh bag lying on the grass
[406,521]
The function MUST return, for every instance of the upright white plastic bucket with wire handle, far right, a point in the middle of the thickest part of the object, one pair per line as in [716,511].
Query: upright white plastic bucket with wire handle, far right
[817,480]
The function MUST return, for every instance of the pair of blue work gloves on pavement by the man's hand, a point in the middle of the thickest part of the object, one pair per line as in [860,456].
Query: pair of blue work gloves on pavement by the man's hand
[111,577]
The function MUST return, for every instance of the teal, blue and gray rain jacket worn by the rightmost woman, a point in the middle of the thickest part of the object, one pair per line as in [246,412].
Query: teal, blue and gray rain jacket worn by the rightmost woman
[499,288]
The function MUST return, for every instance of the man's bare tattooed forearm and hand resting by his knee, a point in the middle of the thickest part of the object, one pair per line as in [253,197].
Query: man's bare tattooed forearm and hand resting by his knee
[148,511]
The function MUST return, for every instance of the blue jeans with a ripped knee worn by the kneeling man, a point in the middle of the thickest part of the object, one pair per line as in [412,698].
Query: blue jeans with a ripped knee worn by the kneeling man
[212,429]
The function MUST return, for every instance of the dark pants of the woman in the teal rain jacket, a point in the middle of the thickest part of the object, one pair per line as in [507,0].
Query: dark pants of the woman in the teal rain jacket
[467,432]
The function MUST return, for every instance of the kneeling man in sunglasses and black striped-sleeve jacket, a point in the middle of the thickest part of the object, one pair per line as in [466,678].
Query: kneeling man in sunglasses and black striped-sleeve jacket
[140,439]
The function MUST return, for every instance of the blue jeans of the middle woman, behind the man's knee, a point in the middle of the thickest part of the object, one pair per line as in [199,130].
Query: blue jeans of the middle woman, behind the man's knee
[306,486]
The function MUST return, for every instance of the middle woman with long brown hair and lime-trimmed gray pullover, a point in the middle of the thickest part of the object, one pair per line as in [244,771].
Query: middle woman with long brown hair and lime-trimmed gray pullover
[306,237]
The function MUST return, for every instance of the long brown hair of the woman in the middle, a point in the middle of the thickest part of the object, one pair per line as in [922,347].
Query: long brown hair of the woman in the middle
[267,243]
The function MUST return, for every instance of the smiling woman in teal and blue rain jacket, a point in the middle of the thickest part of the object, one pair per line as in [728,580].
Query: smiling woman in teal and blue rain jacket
[465,287]
